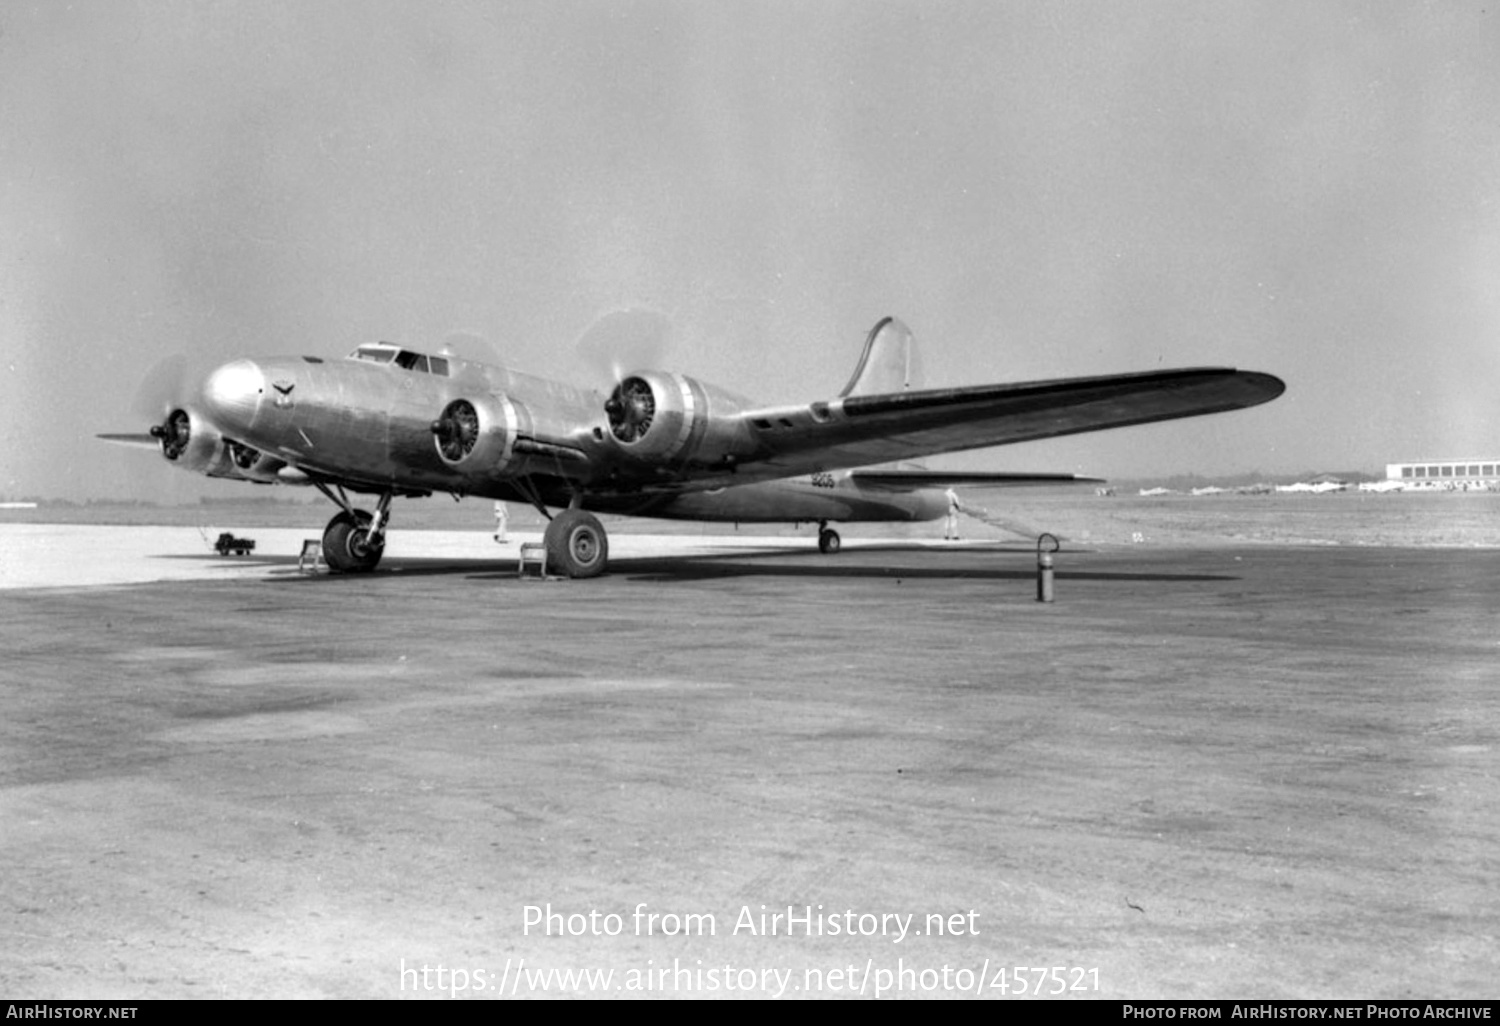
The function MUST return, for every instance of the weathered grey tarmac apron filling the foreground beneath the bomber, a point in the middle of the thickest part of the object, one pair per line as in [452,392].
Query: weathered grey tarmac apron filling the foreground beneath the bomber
[1202,773]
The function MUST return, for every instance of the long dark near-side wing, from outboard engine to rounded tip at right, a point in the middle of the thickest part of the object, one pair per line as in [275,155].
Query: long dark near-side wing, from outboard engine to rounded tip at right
[868,430]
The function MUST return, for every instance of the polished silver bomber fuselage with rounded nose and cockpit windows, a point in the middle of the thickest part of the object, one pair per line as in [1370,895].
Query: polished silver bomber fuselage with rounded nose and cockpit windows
[371,425]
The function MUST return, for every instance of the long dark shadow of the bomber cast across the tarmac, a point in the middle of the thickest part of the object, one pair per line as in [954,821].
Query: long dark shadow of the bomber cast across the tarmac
[919,563]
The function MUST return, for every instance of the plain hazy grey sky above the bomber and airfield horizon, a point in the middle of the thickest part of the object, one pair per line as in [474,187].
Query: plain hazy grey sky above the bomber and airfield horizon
[1039,190]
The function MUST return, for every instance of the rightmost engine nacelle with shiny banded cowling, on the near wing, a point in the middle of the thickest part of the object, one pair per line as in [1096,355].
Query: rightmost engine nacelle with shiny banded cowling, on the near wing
[664,418]
